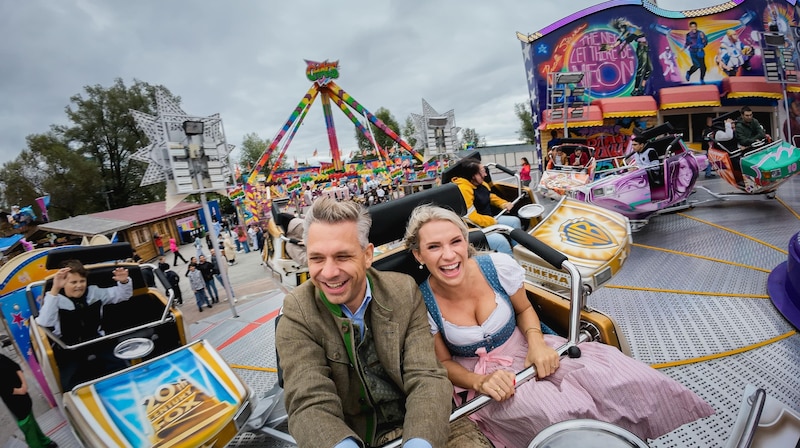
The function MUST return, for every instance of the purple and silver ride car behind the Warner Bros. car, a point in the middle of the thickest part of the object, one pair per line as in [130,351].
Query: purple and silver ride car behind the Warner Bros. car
[646,191]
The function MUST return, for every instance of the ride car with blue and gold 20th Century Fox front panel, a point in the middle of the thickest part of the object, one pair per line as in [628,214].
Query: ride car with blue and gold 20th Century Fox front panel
[138,383]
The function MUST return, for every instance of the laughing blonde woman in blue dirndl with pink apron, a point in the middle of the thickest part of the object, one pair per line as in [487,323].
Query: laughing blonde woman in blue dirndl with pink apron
[485,330]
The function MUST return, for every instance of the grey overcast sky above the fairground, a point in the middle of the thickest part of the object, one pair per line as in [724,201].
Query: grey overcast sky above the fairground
[245,59]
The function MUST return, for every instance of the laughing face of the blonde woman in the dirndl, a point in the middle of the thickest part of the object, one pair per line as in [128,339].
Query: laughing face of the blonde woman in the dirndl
[443,249]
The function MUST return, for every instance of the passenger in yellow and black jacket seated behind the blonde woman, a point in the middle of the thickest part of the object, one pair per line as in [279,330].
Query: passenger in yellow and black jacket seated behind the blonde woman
[479,200]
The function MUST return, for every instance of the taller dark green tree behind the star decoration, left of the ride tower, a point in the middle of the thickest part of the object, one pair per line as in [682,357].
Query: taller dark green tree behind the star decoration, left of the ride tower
[104,131]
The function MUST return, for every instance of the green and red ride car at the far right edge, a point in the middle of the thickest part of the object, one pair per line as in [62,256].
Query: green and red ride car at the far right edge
[756,169]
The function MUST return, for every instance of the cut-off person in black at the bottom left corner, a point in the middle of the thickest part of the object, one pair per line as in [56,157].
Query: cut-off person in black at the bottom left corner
[14,392]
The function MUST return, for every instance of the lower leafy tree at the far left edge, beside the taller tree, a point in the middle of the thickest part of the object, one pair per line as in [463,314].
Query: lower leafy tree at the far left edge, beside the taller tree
[49,166]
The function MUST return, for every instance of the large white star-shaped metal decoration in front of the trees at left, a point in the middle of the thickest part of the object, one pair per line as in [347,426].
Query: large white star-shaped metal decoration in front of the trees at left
[164,131]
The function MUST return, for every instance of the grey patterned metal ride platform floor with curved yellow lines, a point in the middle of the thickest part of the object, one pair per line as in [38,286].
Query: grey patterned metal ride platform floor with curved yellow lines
[725,248]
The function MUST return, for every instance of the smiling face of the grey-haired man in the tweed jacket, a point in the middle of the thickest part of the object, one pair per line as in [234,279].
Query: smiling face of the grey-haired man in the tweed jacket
[337,263]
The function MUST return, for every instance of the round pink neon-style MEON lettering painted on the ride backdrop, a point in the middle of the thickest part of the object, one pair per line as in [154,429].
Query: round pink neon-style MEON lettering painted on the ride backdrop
[611,71]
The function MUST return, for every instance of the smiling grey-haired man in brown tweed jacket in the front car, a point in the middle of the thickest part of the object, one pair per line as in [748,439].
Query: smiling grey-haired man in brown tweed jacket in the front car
[354,343]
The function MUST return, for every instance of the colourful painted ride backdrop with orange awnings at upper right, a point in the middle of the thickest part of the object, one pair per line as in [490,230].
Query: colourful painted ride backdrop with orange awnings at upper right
[622,64]
